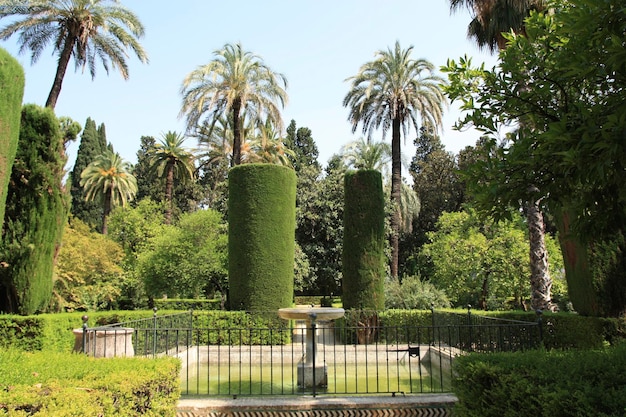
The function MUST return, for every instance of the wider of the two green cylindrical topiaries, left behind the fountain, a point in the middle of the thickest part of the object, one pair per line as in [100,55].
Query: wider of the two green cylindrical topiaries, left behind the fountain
[261,236]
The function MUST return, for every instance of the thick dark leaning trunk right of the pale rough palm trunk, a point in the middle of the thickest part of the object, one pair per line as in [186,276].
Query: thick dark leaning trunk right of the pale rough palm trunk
[578,273]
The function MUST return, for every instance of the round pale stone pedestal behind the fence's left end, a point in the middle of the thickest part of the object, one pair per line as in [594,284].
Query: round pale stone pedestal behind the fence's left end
[116,341]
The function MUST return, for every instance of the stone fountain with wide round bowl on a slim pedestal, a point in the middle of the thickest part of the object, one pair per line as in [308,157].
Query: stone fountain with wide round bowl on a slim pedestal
[310,372]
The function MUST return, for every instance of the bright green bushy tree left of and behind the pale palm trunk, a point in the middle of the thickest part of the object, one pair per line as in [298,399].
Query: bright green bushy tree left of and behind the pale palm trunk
[482,263]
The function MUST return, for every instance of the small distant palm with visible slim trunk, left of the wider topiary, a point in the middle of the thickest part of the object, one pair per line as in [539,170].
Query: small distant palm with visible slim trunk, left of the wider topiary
[170,160]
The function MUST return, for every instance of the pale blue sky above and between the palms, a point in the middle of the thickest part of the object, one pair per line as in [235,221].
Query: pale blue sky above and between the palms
[317,45]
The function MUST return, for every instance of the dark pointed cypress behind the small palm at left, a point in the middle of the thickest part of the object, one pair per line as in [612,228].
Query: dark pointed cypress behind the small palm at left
[92,144]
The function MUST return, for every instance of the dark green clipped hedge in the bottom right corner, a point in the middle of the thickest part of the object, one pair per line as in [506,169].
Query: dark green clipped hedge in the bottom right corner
[574,383]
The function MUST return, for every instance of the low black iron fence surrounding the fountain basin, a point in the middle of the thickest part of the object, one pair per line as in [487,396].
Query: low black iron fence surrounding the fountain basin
[335,358]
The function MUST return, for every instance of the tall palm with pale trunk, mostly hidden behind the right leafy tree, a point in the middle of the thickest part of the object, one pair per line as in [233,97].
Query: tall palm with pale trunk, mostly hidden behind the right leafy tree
[491,19]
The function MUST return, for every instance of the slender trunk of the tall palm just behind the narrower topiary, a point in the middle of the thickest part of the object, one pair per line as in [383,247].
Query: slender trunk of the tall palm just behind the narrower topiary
[396,194]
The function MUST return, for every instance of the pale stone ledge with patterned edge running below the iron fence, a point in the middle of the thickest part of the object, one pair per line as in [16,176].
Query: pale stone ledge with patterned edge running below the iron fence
[415,405]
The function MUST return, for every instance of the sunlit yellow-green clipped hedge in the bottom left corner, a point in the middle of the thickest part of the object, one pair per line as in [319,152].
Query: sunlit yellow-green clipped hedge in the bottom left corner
[45,384]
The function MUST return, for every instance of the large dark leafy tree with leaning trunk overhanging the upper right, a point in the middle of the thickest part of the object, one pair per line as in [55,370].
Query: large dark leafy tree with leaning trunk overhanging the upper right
[569,146]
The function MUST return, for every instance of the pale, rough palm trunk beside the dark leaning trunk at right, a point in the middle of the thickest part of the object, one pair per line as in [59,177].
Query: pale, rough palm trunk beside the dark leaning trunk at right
[540,280]
